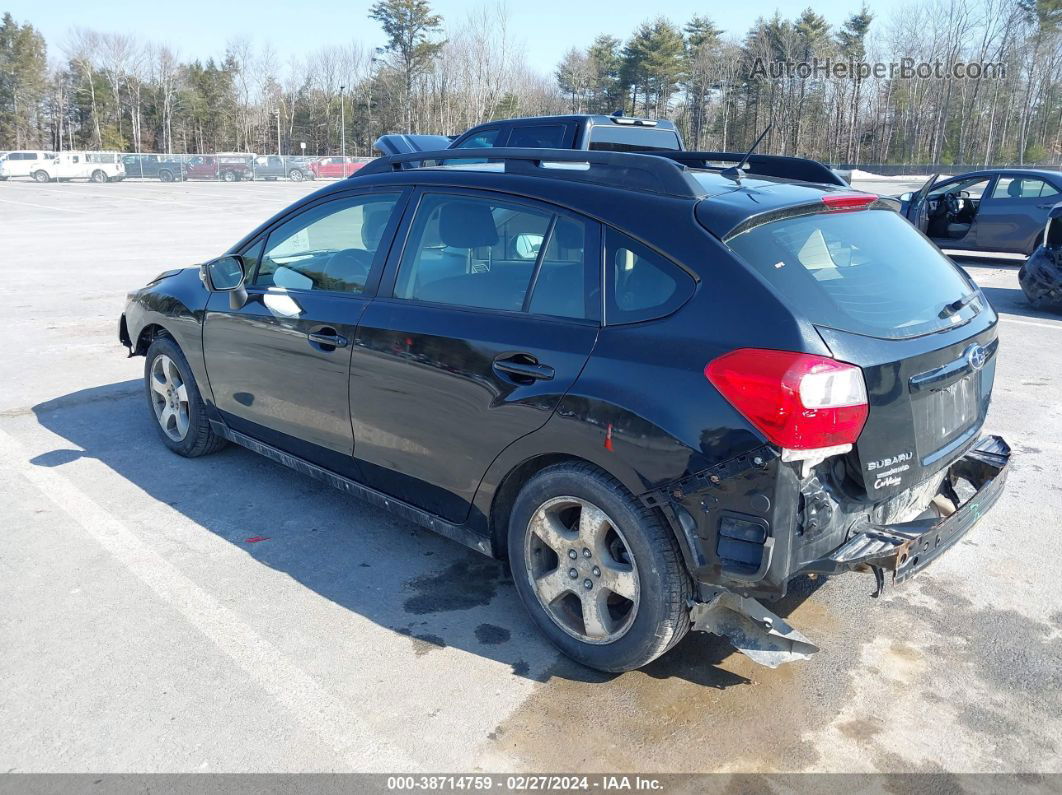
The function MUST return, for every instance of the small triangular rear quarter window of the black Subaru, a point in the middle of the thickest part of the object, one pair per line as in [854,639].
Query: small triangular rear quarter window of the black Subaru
[642,284]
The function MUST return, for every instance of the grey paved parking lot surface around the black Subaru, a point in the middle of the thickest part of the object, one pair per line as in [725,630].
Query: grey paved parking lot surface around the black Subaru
[143,630]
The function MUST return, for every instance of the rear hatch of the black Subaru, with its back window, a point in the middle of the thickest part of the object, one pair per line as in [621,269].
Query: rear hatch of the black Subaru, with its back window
[885,300]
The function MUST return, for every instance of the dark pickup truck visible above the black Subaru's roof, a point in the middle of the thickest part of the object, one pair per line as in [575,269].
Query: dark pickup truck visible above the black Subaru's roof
[576,131]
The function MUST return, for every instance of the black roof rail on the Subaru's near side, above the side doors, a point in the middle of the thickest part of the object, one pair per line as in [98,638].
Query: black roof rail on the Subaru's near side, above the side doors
[641,172]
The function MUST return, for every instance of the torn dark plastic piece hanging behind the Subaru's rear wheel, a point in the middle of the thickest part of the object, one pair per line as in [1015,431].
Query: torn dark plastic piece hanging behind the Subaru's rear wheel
[752,630]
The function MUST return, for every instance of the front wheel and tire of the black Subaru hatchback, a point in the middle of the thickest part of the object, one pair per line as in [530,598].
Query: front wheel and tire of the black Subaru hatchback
[176,403]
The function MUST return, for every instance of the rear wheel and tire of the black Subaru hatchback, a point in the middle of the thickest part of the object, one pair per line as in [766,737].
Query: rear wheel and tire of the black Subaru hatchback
[601,575]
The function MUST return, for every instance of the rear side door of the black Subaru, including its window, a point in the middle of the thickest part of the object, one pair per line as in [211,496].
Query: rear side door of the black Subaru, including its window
[492,310]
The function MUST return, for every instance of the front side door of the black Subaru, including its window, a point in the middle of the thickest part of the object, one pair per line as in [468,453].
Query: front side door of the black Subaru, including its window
[279,366]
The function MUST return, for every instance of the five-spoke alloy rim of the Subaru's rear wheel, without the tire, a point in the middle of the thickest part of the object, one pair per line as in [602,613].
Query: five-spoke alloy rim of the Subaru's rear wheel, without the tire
[581,569]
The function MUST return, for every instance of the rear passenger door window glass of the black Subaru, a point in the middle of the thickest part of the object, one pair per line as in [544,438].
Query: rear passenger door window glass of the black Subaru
[489,254]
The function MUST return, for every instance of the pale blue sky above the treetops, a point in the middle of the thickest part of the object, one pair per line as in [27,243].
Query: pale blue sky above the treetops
[546,28]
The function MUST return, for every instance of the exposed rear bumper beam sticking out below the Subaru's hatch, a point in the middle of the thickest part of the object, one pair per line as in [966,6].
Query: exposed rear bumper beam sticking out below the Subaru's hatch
[907,548]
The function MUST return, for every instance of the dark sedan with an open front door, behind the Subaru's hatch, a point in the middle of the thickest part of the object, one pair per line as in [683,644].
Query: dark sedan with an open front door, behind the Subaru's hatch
[995,211]
